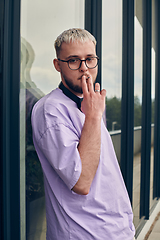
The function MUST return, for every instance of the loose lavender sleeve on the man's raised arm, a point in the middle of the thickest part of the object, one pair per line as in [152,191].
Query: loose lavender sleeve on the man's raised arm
[59,146]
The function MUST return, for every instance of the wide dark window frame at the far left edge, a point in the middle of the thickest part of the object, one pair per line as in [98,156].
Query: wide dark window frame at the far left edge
[10,226]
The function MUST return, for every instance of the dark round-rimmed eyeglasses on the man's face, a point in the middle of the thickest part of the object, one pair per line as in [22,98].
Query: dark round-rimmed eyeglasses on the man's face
[75,63]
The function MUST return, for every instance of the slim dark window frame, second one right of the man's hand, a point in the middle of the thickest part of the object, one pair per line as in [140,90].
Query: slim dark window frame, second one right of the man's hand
[146,110]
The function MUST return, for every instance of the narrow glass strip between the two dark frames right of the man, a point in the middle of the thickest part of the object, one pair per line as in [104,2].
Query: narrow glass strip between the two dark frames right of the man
[137,110]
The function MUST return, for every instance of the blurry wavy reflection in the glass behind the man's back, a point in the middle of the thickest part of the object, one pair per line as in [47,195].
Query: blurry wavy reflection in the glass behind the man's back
[33,175]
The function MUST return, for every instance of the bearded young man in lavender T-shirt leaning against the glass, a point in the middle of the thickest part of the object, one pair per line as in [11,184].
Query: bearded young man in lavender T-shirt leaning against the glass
[85,194]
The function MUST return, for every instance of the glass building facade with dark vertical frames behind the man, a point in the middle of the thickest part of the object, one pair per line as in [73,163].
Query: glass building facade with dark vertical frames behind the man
[128,36]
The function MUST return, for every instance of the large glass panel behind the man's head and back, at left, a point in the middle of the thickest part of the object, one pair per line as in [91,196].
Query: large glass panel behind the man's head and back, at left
[41,23]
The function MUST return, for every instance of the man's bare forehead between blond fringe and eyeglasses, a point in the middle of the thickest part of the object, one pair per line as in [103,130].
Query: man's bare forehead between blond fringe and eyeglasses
[78,48]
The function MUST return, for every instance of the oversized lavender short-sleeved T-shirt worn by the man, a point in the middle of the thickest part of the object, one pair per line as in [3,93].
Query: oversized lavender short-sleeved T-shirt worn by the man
[105,213]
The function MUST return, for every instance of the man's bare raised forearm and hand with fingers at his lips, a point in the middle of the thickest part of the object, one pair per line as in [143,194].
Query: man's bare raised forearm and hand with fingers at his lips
[89,147]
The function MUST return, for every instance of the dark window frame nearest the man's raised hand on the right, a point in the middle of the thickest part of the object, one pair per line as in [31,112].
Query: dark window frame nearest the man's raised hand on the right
[127,109]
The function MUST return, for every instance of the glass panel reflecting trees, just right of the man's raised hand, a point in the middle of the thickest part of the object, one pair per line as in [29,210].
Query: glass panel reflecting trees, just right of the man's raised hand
[112,66]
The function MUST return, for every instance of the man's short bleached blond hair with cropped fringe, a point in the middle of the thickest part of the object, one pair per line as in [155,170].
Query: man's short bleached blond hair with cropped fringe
[71,35]
